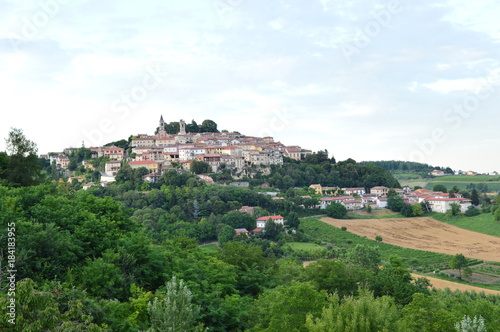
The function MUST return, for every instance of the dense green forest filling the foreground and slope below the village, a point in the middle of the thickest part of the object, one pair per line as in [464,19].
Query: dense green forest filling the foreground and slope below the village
[128,257]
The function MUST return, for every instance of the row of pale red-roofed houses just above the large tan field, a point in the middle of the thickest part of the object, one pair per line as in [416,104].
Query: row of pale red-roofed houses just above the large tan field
[357,198]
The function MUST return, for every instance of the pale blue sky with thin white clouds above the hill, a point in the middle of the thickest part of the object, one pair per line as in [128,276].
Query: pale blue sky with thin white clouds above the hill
[364,79]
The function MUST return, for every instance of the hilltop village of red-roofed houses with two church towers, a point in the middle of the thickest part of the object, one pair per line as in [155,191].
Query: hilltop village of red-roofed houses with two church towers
[225,150]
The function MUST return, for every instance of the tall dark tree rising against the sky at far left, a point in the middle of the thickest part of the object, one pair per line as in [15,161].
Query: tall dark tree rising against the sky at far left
[23,168]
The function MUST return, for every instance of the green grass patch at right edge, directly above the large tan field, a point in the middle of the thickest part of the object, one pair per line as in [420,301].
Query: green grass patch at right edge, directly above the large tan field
[484,223]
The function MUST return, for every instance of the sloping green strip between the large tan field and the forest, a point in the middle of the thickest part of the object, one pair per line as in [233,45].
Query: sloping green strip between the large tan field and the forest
[423,261]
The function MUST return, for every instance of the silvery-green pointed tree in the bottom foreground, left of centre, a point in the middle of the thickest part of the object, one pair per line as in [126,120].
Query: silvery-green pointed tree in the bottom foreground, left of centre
[175,311]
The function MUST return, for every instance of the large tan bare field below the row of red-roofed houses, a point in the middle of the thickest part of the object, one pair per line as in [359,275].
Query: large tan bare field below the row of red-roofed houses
[424,234]
